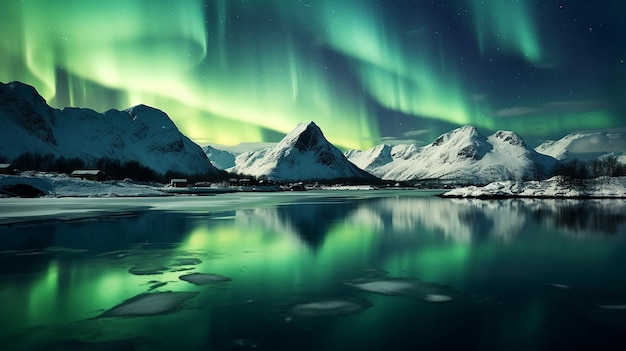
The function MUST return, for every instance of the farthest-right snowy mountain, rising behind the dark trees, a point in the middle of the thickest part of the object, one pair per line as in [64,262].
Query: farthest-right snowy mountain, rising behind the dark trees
[585,146]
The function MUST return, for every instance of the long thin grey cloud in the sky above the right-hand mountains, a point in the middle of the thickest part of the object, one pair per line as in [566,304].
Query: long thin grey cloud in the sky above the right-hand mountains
[552,108]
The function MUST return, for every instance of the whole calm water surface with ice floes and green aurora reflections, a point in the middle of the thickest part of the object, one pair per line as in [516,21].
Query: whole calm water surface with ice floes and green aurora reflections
[358,270]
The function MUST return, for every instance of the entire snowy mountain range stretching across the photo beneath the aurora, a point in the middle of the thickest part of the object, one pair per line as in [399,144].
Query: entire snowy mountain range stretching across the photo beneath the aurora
[148,135]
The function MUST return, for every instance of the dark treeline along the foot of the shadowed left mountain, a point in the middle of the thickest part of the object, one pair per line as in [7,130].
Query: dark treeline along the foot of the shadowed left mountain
[113,168]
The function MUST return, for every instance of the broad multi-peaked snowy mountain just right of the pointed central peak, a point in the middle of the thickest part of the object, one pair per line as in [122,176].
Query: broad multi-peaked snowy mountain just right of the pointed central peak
[463,155]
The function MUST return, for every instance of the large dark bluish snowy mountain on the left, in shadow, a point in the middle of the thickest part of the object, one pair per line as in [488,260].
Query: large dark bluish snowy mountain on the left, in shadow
[140,133]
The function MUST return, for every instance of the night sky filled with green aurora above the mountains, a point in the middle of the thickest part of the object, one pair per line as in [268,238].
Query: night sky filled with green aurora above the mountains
[366,72]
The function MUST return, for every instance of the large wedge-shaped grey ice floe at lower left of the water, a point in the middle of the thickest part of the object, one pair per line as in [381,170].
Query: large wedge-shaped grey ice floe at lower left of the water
[150,304]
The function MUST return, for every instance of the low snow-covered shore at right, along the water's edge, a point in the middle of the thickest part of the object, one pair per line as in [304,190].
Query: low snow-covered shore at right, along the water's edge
[556,187]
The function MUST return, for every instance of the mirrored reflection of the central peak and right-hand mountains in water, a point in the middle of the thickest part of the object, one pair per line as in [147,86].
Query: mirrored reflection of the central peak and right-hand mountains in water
[459,220]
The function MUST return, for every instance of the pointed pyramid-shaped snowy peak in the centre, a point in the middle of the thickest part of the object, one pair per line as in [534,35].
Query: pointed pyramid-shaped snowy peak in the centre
[304,154]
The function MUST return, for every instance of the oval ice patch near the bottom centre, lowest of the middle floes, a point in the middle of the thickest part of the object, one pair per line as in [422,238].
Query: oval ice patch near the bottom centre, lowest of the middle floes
[328,308]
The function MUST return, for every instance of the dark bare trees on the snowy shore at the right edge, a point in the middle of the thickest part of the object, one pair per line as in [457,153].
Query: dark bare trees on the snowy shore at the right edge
[606,167]
